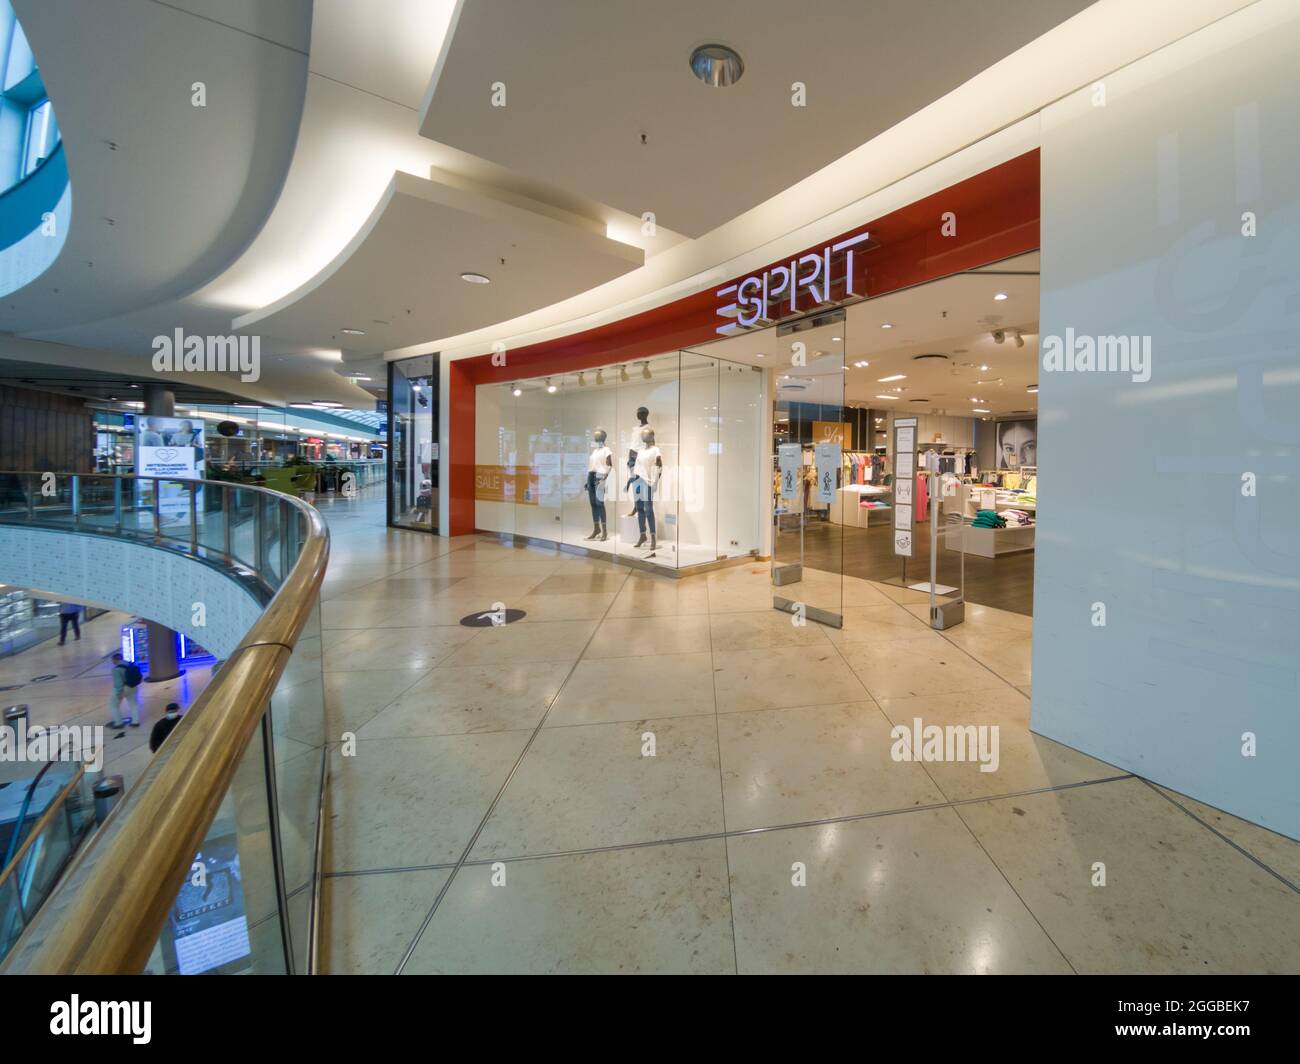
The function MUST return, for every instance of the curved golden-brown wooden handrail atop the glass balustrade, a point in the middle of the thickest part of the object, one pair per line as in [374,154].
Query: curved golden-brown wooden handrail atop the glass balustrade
[111,906]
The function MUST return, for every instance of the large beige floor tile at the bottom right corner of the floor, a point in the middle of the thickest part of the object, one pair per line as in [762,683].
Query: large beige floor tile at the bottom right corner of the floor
[1178,899]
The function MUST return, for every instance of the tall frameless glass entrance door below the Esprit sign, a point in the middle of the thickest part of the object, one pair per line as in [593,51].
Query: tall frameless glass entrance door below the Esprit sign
[811,436]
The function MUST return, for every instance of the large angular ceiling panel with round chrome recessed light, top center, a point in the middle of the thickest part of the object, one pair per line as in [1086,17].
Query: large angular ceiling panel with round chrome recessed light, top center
[600,100]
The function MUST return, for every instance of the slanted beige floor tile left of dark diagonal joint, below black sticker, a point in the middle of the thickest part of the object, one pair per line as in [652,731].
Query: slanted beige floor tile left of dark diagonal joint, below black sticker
[458,700]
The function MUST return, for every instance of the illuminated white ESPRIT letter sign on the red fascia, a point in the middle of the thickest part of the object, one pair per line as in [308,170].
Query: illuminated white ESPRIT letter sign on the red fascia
[765,297]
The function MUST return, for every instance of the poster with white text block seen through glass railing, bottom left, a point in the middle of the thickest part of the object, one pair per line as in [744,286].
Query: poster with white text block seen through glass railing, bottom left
[207,929]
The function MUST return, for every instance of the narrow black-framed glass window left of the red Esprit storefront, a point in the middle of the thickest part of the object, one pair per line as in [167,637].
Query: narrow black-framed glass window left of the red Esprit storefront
[414,443]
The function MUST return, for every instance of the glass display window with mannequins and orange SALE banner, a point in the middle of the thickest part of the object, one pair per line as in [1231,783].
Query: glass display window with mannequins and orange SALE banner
[627,460]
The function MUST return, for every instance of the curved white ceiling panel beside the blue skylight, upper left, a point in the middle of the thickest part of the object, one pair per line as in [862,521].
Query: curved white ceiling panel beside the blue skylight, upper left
[168,193]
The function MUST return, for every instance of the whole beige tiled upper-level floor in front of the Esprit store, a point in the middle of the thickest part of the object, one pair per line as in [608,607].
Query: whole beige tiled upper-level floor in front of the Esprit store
[666,776]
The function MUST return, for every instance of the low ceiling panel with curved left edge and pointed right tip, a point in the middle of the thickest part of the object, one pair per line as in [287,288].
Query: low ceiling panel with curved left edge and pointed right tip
[400,280]
